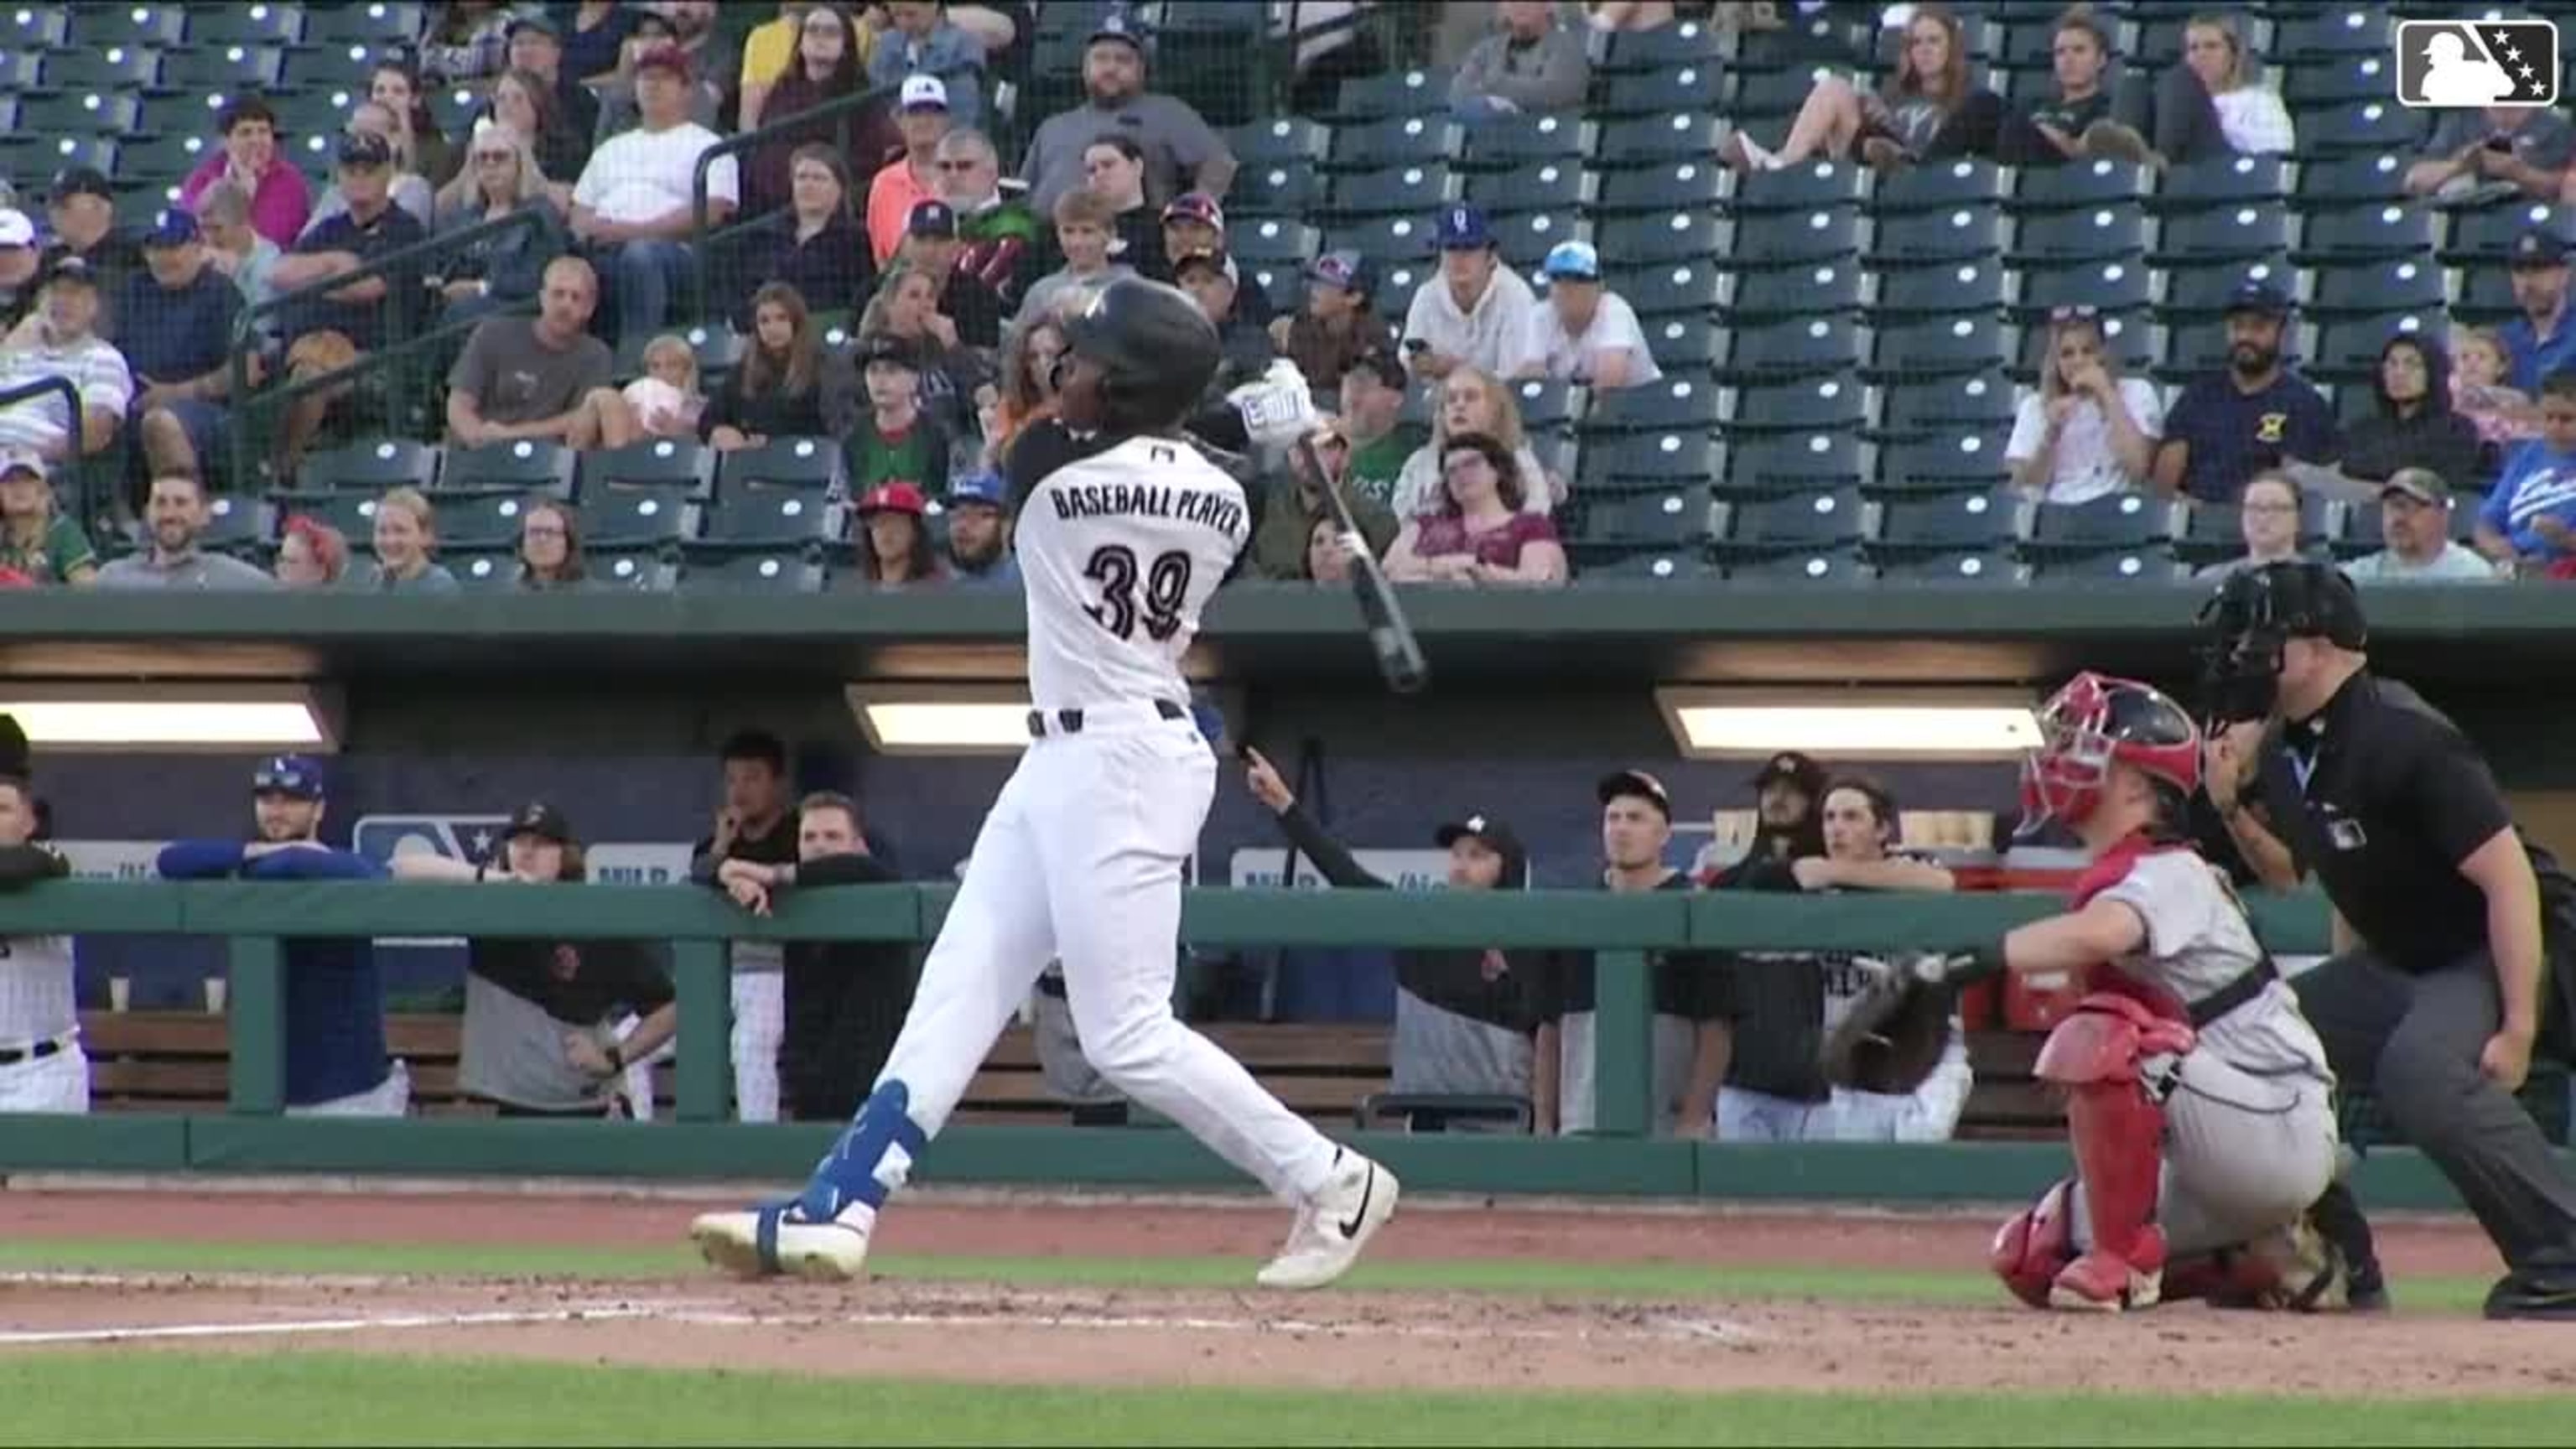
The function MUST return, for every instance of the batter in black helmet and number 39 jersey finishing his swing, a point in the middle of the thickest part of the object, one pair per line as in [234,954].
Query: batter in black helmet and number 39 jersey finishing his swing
[1124,535]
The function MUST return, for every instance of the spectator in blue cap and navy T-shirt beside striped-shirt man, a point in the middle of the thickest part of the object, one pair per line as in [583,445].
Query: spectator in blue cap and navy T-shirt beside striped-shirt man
[174,321]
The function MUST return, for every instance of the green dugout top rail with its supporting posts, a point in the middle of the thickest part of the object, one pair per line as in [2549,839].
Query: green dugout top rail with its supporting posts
[259,917]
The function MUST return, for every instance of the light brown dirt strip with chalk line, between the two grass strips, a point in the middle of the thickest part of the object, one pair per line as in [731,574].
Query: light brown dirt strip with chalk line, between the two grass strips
[1099,1337]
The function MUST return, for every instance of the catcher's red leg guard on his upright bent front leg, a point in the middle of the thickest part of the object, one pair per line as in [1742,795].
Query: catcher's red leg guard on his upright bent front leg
[2116,1061]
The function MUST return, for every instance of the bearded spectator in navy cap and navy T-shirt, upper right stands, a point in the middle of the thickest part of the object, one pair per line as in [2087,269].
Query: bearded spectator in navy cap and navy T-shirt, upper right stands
[2248,419]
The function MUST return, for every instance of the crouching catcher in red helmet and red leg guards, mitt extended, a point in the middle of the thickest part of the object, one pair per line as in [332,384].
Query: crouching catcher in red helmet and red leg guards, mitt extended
[2199,1097]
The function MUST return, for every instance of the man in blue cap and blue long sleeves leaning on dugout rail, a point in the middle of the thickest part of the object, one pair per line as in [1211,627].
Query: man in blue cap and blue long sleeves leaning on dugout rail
[336,1061]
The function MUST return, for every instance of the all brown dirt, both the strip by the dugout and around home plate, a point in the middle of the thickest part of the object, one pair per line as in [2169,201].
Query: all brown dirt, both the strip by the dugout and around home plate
[1155,1337]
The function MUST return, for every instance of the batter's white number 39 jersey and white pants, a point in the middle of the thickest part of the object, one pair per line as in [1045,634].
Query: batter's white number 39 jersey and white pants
[1083,852]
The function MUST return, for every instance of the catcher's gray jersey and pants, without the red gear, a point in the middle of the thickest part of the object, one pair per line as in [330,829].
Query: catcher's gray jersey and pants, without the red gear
[2250,1120]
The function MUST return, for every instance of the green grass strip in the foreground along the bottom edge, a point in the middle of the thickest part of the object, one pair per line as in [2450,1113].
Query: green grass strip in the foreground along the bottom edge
[341,1399]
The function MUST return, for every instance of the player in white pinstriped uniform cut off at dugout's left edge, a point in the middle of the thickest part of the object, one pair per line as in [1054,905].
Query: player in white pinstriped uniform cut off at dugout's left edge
[43,1066]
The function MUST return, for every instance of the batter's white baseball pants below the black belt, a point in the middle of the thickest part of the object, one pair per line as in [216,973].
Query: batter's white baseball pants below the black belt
[1083,860]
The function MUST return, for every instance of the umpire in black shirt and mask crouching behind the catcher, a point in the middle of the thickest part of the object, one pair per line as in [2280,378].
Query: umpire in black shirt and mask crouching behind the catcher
[2456,940]
